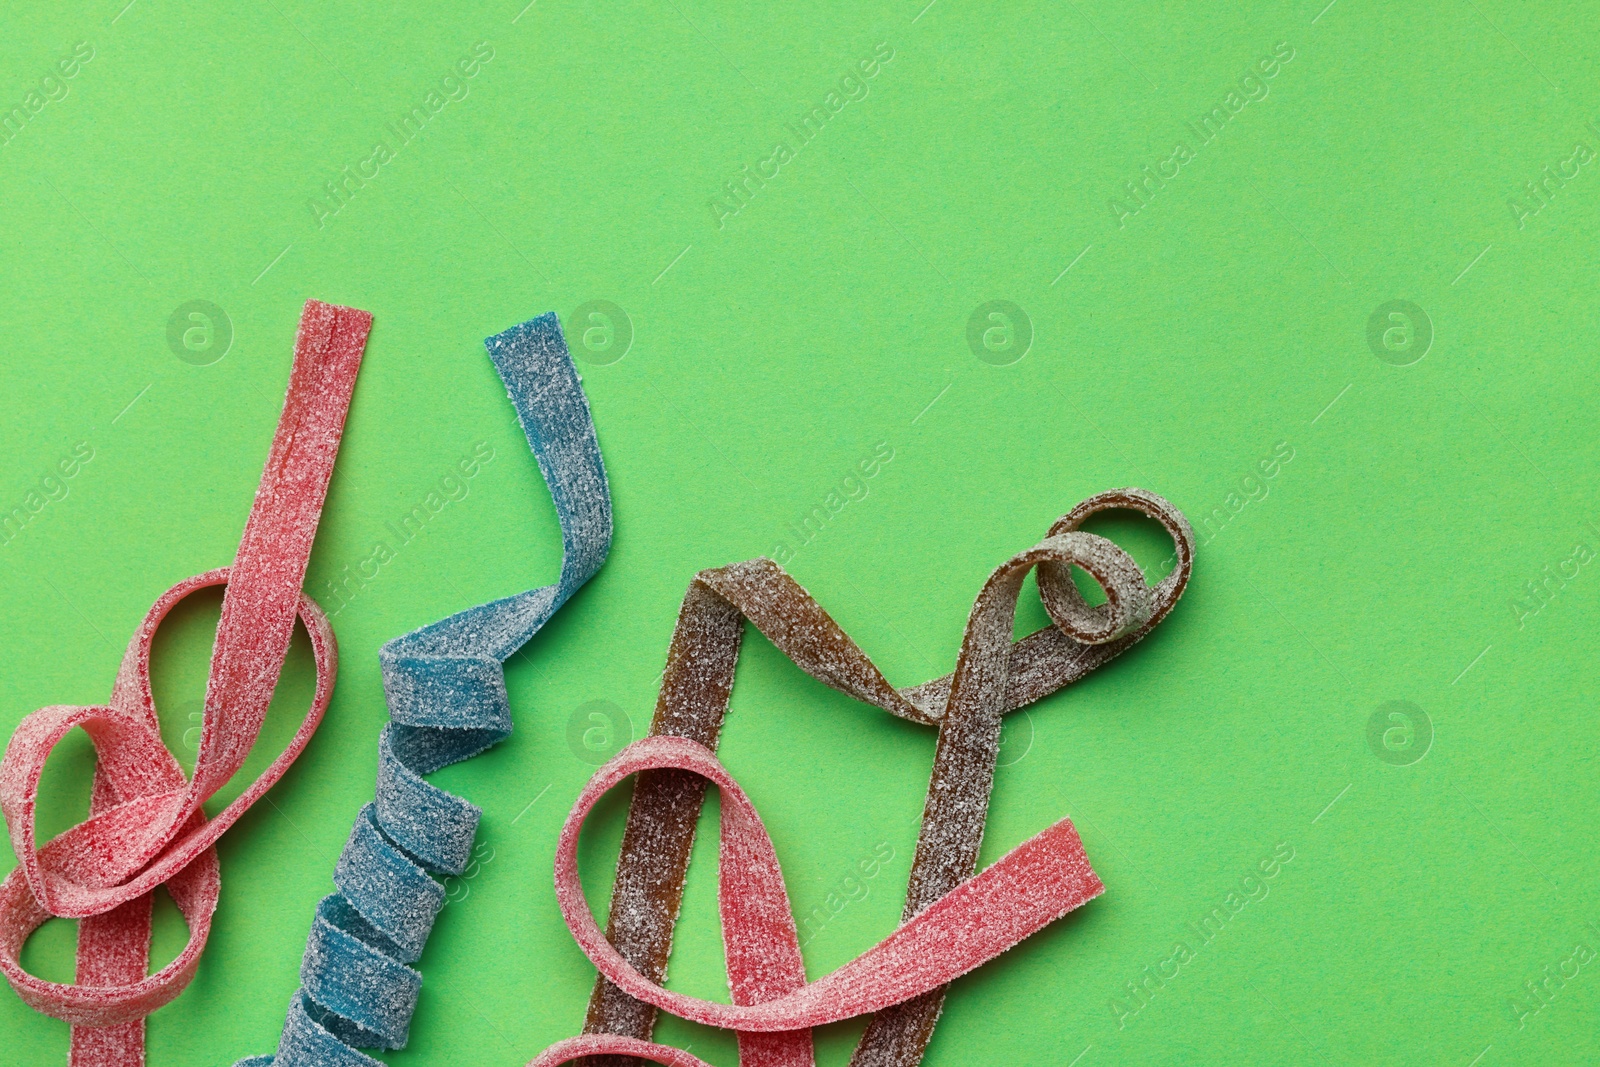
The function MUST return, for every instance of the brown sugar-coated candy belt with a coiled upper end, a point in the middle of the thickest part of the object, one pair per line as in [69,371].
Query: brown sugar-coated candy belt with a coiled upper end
[993,677]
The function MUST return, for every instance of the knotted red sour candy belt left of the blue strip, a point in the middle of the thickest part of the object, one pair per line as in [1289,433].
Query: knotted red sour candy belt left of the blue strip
[146,823]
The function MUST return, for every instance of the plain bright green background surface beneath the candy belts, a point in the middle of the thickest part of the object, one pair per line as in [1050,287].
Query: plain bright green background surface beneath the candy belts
[1226,319]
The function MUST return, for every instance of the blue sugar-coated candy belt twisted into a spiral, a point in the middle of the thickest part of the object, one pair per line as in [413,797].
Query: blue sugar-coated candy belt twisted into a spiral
[447,701]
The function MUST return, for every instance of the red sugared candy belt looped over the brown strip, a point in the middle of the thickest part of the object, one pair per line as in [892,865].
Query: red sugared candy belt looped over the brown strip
[1025,892]
